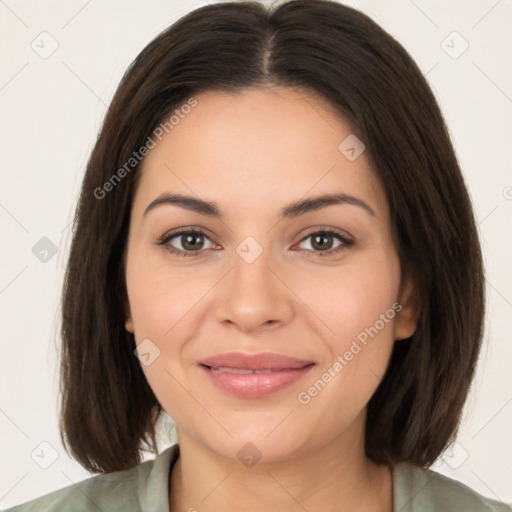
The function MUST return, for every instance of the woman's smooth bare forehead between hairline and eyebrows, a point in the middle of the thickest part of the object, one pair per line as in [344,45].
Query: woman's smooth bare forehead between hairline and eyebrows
[254,148]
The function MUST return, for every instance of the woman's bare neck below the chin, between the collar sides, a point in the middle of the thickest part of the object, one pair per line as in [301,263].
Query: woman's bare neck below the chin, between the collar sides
[333,477]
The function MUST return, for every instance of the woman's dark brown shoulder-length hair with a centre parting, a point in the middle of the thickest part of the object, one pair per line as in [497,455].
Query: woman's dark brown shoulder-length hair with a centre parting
[108,411]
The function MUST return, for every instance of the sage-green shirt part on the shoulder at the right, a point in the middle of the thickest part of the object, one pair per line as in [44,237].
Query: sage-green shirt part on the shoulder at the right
[417,489]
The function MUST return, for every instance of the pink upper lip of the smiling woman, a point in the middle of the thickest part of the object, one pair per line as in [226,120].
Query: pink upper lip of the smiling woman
[261,361]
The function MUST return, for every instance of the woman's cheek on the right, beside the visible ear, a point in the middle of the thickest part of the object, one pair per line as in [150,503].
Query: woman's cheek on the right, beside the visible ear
[359,305]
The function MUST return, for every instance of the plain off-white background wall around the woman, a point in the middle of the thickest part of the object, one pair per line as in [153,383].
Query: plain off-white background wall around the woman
[51,110]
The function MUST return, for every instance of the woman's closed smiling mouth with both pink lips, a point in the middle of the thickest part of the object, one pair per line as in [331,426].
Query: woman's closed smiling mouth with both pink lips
[254,376]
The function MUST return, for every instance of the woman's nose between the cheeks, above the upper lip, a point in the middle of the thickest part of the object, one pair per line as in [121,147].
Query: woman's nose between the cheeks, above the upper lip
[254,296]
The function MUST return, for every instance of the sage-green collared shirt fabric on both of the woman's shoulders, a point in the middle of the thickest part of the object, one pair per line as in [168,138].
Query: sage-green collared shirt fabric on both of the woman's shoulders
[144,488]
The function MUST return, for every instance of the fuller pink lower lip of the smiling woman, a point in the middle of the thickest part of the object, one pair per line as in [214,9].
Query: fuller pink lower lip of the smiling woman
[255,385]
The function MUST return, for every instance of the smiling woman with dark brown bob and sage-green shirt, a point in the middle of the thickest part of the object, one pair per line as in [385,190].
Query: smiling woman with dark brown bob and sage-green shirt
[274,244]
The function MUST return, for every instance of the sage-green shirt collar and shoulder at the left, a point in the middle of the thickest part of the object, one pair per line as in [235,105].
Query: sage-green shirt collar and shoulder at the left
[130,490]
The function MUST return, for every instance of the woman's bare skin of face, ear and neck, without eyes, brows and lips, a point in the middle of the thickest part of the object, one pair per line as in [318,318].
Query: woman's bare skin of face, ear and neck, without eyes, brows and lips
[253,153]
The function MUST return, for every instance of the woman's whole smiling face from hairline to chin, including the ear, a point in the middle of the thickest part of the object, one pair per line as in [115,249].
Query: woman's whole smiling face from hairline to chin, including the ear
[321,285]
